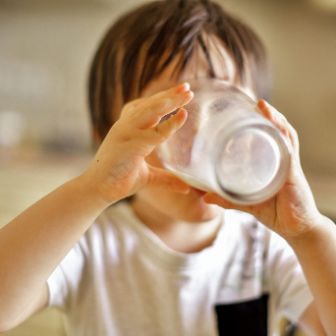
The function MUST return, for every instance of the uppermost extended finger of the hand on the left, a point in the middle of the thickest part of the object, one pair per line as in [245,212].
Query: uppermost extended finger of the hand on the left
[152,109]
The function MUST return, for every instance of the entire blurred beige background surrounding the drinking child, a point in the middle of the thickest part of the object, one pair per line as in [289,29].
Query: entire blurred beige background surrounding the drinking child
[46,48]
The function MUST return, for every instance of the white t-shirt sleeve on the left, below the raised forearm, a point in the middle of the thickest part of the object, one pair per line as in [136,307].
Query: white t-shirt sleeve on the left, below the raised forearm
[66,277]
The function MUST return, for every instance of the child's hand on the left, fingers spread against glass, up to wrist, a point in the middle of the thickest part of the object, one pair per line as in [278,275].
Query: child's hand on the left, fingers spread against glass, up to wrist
[119,168]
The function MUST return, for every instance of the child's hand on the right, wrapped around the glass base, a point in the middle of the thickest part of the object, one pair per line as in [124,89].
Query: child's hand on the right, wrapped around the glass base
[293,210]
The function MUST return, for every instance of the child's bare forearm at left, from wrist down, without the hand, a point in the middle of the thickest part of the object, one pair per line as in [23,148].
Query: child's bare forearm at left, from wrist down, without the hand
[33,244]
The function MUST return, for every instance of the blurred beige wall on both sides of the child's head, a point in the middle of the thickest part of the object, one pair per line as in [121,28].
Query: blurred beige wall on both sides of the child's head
[46,47]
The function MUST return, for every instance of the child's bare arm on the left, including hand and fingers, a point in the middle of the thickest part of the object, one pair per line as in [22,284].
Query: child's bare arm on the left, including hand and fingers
[33,244]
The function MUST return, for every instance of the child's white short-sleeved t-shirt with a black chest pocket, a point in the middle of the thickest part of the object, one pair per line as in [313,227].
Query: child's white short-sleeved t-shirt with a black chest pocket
[121,279]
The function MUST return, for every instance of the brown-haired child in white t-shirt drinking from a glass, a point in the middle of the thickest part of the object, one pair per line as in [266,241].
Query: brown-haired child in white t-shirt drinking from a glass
[167,262]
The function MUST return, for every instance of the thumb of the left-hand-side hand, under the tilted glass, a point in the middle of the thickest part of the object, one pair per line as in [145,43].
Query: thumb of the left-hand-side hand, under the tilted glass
[161,178]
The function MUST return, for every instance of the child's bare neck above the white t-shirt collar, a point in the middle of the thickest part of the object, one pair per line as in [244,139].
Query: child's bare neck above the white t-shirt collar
[179,235]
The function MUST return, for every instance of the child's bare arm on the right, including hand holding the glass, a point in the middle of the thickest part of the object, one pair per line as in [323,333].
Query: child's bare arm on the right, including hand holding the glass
[293,214]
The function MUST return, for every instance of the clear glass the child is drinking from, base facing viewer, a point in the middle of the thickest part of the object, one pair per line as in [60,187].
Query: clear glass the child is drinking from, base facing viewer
[226,146]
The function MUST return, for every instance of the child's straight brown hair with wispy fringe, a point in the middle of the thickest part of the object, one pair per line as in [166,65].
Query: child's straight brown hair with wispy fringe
[141,44]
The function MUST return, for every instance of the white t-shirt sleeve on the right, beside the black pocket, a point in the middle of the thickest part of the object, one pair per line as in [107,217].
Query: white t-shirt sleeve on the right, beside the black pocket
[286,279]
